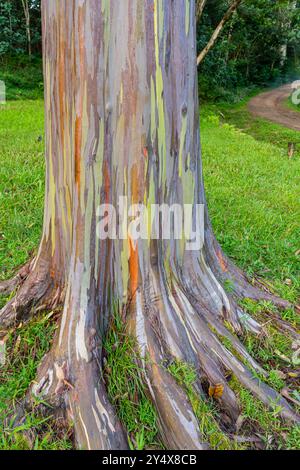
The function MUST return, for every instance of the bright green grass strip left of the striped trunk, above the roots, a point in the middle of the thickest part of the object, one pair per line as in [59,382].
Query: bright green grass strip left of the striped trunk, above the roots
[21,182]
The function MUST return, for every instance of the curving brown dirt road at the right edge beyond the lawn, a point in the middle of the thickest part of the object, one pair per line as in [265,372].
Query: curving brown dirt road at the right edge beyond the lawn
[272,106]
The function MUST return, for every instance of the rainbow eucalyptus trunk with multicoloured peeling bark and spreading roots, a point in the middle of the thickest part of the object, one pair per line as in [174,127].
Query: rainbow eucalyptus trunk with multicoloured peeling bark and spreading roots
[121,108]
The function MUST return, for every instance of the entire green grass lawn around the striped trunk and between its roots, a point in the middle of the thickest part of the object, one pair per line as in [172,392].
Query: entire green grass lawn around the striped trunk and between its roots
[253,196]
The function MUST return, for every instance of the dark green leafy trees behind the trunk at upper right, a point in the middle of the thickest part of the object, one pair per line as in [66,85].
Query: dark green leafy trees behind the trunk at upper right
[249,49]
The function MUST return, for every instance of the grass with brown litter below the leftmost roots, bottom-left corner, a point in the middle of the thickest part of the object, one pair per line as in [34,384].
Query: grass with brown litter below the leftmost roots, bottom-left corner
[25,347]
